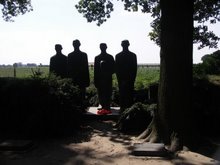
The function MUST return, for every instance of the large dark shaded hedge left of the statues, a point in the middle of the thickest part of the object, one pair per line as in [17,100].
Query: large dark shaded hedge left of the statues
[39,107]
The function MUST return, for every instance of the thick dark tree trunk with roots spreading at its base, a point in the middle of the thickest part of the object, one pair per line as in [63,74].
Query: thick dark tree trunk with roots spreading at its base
[174,103]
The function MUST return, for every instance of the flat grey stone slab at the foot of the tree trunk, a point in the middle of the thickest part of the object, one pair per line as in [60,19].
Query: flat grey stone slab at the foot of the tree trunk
[149,149]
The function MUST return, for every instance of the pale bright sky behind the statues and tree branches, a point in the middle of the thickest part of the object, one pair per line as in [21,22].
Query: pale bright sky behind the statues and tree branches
[31,37]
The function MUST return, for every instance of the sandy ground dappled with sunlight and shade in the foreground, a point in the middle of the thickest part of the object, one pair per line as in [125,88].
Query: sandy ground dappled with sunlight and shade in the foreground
[98,143]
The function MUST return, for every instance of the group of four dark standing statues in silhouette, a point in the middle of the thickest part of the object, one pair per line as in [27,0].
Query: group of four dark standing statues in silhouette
[75,66]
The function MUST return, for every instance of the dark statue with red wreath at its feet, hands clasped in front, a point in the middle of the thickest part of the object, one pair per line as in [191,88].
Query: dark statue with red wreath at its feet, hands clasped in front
[103,69]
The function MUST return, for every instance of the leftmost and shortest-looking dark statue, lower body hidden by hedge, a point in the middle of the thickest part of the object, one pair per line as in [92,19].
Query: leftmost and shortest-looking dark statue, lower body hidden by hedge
[58,63]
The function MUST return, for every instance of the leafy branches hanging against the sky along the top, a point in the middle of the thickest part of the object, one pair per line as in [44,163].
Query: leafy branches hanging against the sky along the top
[205,11]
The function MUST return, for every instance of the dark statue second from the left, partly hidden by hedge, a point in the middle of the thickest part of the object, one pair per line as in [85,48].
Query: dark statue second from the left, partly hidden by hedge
[78,68]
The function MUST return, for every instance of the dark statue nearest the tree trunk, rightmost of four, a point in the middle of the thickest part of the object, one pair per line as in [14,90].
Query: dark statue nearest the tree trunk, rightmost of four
[126,71]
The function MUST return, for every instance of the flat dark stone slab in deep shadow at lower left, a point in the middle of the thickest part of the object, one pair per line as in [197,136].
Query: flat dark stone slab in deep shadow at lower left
[16,145]
